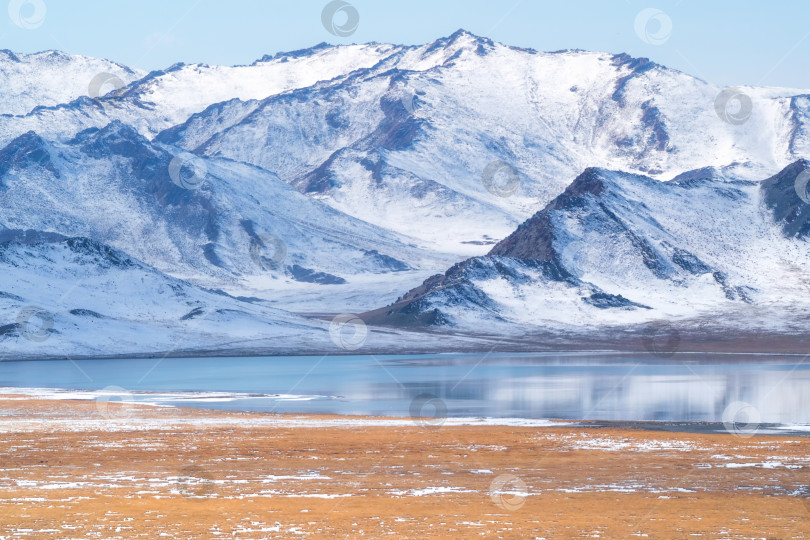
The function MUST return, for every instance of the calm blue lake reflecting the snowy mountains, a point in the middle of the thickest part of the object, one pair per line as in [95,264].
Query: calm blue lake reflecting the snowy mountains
[570,386]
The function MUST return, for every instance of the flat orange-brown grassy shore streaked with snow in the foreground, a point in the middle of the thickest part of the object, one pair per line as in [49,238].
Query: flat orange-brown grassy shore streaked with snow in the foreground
[77,469]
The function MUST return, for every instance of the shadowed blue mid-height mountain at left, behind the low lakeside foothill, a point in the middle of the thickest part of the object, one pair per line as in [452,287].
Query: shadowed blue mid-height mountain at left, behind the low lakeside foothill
[242,229]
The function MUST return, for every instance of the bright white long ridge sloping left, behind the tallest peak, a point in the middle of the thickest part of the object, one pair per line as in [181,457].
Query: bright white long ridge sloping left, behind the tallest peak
[162,99]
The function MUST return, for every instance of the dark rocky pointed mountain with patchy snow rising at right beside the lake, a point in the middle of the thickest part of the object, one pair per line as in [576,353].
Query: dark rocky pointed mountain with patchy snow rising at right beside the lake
[622,249]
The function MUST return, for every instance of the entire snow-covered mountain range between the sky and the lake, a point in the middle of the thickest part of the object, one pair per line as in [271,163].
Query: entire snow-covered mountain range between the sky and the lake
[455,195]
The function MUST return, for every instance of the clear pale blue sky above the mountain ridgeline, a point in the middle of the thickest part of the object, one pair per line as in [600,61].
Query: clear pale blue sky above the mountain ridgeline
[725,42]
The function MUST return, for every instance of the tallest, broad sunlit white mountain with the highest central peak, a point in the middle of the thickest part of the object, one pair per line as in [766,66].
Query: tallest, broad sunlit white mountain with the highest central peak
[429,133]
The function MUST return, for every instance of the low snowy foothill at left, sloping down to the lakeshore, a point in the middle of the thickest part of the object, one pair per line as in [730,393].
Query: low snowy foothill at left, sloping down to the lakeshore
[76,296]
